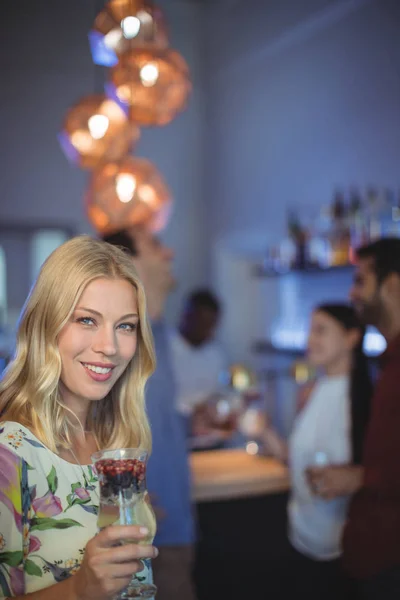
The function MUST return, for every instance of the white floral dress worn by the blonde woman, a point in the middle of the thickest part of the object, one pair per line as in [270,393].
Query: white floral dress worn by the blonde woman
[48,513]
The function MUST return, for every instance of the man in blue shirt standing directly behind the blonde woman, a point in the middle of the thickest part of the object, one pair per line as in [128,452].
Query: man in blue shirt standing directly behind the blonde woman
[168,475]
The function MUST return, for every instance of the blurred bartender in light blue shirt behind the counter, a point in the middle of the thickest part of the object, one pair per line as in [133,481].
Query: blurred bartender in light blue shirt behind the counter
[197,357]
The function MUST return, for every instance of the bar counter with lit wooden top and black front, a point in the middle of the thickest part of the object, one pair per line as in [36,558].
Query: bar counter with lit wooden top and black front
[241,503]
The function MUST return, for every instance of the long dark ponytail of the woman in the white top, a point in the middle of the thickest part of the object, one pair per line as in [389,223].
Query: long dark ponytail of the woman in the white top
[361,387]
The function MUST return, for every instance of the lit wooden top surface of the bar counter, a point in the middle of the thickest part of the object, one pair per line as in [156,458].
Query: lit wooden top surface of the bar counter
[230,474]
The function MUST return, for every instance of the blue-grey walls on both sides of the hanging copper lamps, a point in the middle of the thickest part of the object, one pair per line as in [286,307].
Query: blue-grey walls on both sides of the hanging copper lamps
[290,99]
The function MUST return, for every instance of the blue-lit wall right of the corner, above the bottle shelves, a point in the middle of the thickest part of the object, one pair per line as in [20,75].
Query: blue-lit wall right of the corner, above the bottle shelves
[303,96]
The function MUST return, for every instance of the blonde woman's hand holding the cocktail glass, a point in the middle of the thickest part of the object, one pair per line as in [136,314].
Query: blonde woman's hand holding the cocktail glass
[107,566]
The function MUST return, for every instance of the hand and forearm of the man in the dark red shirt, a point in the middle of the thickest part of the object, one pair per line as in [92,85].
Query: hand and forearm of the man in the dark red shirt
[335,480]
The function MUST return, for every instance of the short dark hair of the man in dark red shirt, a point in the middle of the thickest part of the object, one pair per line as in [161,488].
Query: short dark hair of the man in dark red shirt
[385,254]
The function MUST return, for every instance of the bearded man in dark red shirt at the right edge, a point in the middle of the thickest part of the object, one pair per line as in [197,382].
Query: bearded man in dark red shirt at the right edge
[372,534]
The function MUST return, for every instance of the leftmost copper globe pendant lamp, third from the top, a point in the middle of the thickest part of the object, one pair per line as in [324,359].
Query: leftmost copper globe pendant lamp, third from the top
[96,129]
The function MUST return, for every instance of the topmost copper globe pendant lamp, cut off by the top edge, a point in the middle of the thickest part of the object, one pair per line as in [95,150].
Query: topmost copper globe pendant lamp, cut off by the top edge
[123,25]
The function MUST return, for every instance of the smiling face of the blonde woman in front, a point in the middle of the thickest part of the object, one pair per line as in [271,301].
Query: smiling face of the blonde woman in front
[99,341]
